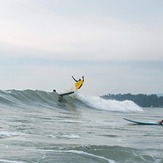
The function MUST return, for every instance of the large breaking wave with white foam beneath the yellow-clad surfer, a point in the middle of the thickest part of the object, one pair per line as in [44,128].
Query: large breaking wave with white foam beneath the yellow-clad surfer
[35,98]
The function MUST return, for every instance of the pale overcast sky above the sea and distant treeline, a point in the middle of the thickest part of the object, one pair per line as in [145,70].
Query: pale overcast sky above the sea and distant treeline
[116,44]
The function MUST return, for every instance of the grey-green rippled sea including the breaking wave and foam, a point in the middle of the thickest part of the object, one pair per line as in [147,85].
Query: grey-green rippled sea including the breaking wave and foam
[41,127]
